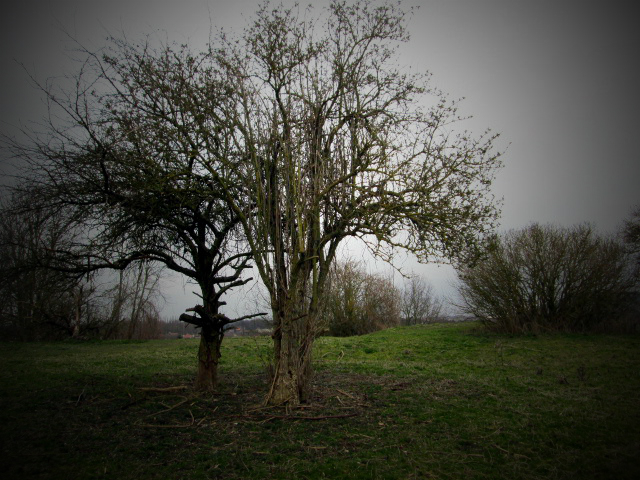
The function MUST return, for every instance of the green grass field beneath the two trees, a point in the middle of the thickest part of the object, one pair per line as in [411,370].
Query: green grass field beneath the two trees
[441,401]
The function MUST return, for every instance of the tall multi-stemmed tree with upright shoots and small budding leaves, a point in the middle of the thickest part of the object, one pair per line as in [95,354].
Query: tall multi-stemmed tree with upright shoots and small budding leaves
[332,140]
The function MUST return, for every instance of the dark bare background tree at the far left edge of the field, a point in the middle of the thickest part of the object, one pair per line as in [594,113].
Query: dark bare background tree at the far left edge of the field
[38,302]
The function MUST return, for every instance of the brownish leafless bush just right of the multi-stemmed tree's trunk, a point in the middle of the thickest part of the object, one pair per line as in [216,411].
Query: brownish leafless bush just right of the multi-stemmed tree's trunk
[357,302]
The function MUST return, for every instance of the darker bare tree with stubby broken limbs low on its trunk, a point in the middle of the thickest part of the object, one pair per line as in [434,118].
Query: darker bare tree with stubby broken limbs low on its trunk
[118,153]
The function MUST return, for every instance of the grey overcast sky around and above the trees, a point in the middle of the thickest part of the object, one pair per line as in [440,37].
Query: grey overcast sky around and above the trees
[560,80]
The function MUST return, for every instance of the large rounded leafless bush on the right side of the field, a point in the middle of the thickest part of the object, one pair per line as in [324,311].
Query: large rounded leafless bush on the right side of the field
[545,278]
